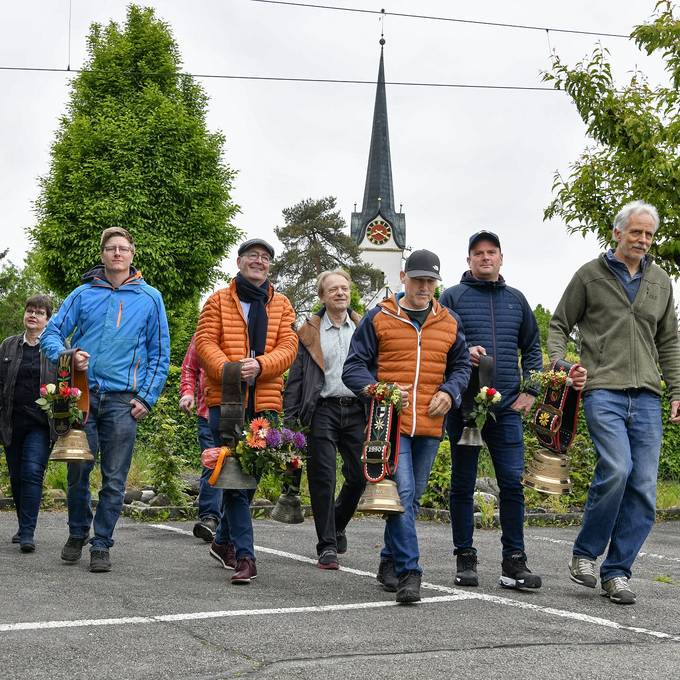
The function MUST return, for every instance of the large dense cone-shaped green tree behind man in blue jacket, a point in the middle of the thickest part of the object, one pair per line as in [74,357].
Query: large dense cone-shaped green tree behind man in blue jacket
[133,150]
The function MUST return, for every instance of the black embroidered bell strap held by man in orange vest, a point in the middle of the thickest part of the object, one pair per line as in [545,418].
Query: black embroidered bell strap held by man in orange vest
[380,452]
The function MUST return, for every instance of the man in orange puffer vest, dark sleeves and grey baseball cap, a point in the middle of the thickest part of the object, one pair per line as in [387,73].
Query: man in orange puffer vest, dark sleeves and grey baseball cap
[411,340]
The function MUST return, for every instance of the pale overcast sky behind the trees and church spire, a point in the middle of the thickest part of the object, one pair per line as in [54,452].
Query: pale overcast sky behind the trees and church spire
[463,159]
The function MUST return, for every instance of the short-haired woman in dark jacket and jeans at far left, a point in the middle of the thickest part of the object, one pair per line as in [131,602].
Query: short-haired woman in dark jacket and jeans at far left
[24,428]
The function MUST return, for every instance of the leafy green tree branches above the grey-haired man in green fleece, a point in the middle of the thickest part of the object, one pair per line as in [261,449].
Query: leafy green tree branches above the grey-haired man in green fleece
[636,134]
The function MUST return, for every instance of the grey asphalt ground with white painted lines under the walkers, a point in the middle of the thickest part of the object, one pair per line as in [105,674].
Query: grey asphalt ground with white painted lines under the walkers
[168,611]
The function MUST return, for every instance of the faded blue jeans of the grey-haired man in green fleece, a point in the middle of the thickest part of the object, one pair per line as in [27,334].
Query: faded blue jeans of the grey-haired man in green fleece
[625,426]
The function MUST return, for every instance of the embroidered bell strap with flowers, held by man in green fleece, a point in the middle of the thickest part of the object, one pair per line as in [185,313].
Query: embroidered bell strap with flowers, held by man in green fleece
[556,417]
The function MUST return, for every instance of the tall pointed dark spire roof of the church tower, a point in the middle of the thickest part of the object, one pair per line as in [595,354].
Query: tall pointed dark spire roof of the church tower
[379,191]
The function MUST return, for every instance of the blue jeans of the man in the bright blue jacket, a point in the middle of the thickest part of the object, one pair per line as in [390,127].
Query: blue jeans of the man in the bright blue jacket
[111,432]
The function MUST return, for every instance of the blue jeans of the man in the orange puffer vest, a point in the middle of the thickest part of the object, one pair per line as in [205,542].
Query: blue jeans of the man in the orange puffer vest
[416,455]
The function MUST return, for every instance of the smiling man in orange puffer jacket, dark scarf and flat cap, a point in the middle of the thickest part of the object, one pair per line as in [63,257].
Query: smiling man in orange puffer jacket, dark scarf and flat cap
[251,323]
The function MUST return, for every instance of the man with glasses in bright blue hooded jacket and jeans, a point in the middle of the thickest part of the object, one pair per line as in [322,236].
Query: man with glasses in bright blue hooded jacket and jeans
[122,338]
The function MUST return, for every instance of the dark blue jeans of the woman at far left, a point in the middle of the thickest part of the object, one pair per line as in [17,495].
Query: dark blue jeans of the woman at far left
[27,457]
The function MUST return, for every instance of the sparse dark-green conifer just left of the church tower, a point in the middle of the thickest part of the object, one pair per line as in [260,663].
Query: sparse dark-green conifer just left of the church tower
[314,240]
